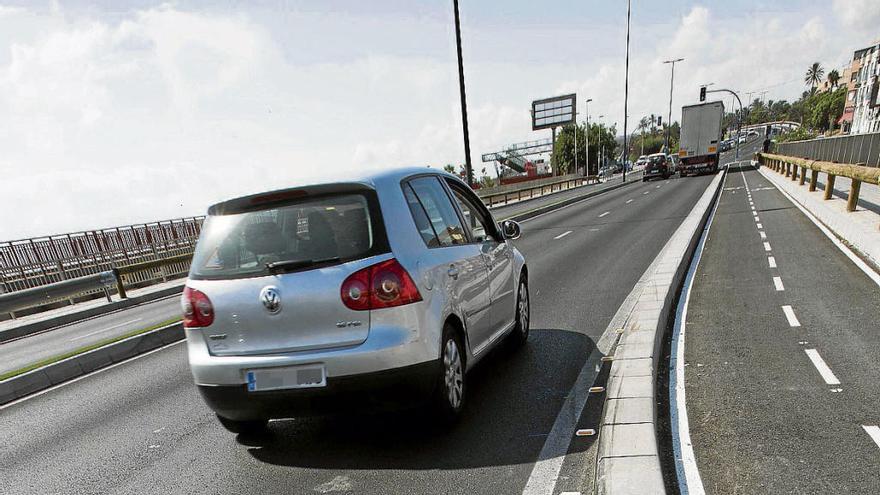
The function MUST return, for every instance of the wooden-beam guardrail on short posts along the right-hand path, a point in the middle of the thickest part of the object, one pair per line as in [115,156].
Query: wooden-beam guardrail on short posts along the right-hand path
[796,168]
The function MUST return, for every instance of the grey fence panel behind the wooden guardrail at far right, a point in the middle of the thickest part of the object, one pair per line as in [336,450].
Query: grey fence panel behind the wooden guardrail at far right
[855,149]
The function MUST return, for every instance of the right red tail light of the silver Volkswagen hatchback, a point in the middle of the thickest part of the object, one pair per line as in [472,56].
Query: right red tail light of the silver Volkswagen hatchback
[383,285]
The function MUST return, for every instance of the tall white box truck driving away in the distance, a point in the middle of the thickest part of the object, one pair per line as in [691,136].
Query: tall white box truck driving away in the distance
[700,144]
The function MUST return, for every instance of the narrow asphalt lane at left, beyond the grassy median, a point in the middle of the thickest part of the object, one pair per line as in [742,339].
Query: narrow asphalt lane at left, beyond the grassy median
[15,354]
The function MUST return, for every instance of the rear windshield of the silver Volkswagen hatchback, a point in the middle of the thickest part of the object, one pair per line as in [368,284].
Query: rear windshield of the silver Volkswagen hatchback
[293,236]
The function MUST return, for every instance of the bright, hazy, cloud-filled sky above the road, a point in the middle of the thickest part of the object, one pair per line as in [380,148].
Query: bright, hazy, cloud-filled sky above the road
[123,112]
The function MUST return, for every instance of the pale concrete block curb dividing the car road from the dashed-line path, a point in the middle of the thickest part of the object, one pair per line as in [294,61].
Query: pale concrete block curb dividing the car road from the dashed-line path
[628,460]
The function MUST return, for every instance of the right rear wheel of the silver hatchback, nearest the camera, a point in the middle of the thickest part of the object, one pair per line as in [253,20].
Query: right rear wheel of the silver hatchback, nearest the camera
[451,389]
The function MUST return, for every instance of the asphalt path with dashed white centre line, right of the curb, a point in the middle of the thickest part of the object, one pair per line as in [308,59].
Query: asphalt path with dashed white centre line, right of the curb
[765,414]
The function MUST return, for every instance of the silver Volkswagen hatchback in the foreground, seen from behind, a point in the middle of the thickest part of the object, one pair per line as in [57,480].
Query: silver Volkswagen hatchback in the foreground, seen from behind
[382,291]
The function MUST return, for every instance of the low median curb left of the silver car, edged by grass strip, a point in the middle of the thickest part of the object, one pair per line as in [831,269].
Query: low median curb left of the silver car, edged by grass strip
[42,378]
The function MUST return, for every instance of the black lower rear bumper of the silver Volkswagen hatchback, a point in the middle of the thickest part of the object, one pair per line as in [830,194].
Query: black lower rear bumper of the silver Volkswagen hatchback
[383,390]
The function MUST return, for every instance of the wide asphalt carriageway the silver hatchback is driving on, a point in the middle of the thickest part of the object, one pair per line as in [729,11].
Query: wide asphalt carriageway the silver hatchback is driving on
[141,426]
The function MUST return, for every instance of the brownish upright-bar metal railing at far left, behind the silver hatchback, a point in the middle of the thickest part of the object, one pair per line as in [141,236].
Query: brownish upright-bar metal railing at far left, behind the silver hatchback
[29,263]
